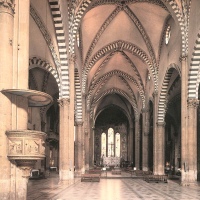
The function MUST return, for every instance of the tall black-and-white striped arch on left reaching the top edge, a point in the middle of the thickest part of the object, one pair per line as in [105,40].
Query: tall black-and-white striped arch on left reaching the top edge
[60,35]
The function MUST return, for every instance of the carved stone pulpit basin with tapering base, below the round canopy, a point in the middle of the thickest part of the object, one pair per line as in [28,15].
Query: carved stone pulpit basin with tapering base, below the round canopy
[25,147]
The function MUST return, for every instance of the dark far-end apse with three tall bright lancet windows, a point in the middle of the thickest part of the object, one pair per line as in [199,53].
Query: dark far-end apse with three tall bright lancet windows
[110,137]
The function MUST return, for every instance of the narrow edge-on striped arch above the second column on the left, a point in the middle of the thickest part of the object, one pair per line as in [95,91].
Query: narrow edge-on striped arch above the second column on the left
[78,105]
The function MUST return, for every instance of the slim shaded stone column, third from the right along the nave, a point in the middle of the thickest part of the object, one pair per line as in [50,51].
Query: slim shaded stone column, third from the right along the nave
[145,140]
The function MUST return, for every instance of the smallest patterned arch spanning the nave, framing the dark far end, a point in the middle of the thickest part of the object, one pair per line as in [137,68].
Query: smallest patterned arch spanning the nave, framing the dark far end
[115,91]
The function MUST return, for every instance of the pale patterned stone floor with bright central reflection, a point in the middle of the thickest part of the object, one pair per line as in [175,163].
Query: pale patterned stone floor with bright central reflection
[114,187]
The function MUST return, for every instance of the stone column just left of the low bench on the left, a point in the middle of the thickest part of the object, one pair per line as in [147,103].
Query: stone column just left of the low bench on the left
[79,148]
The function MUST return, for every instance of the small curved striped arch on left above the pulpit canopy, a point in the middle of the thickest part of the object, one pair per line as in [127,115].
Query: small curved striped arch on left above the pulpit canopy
[37,62]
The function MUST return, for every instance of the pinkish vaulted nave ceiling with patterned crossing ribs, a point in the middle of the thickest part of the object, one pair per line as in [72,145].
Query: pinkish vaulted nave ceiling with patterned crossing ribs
[120,49]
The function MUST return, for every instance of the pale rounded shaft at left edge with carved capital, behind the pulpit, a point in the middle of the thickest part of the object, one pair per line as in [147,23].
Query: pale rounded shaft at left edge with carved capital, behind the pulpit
[6,76]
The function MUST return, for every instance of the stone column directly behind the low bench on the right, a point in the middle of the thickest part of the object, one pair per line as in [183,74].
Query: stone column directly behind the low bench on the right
[159,154]
